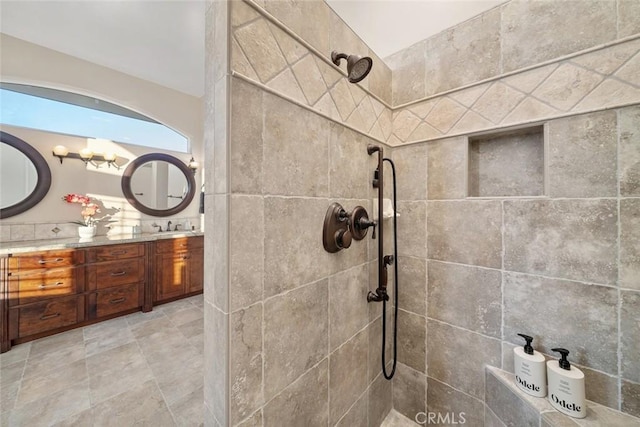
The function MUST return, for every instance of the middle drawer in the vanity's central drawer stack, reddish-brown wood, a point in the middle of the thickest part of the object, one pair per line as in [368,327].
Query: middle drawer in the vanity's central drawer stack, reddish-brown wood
[115,273]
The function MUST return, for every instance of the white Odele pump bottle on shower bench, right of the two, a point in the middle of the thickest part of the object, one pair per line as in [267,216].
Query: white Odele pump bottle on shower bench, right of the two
[566,386]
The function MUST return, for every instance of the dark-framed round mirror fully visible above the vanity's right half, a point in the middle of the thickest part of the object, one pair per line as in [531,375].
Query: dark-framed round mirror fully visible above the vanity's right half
[158,184]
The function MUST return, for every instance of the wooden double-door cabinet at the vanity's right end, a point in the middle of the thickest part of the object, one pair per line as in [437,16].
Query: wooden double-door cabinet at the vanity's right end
[179,266]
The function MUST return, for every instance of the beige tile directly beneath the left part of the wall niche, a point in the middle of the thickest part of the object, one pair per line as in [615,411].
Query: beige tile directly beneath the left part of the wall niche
[453,237]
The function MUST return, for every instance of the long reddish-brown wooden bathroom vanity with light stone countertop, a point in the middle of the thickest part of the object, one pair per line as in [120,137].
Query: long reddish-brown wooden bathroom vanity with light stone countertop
[54,286]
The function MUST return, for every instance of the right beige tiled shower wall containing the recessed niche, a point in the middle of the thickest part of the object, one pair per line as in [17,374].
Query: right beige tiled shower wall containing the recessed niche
[564,266]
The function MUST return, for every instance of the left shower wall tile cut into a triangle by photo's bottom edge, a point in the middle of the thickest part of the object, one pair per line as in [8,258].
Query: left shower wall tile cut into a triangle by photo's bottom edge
[305,402]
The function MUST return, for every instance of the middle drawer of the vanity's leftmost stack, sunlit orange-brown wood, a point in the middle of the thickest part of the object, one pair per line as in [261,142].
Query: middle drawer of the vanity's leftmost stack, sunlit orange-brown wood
[37,285]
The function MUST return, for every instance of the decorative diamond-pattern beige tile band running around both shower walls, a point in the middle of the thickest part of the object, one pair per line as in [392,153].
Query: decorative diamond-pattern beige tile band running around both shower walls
[265,52]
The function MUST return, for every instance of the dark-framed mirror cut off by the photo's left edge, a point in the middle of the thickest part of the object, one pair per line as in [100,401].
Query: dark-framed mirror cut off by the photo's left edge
[25,176]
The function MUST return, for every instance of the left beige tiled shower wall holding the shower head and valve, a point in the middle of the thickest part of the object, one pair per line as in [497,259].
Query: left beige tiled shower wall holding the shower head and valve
[303,344]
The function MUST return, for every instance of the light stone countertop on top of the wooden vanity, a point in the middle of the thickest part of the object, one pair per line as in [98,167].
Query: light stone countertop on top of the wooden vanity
[7,248]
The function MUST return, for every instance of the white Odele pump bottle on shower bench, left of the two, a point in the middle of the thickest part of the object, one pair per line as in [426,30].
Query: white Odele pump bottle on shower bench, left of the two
[528,365]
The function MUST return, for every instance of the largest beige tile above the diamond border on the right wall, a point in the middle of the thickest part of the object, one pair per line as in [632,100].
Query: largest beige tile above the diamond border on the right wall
[553,28]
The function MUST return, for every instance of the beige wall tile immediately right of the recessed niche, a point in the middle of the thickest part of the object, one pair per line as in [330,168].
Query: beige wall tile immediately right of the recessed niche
[583,156]
